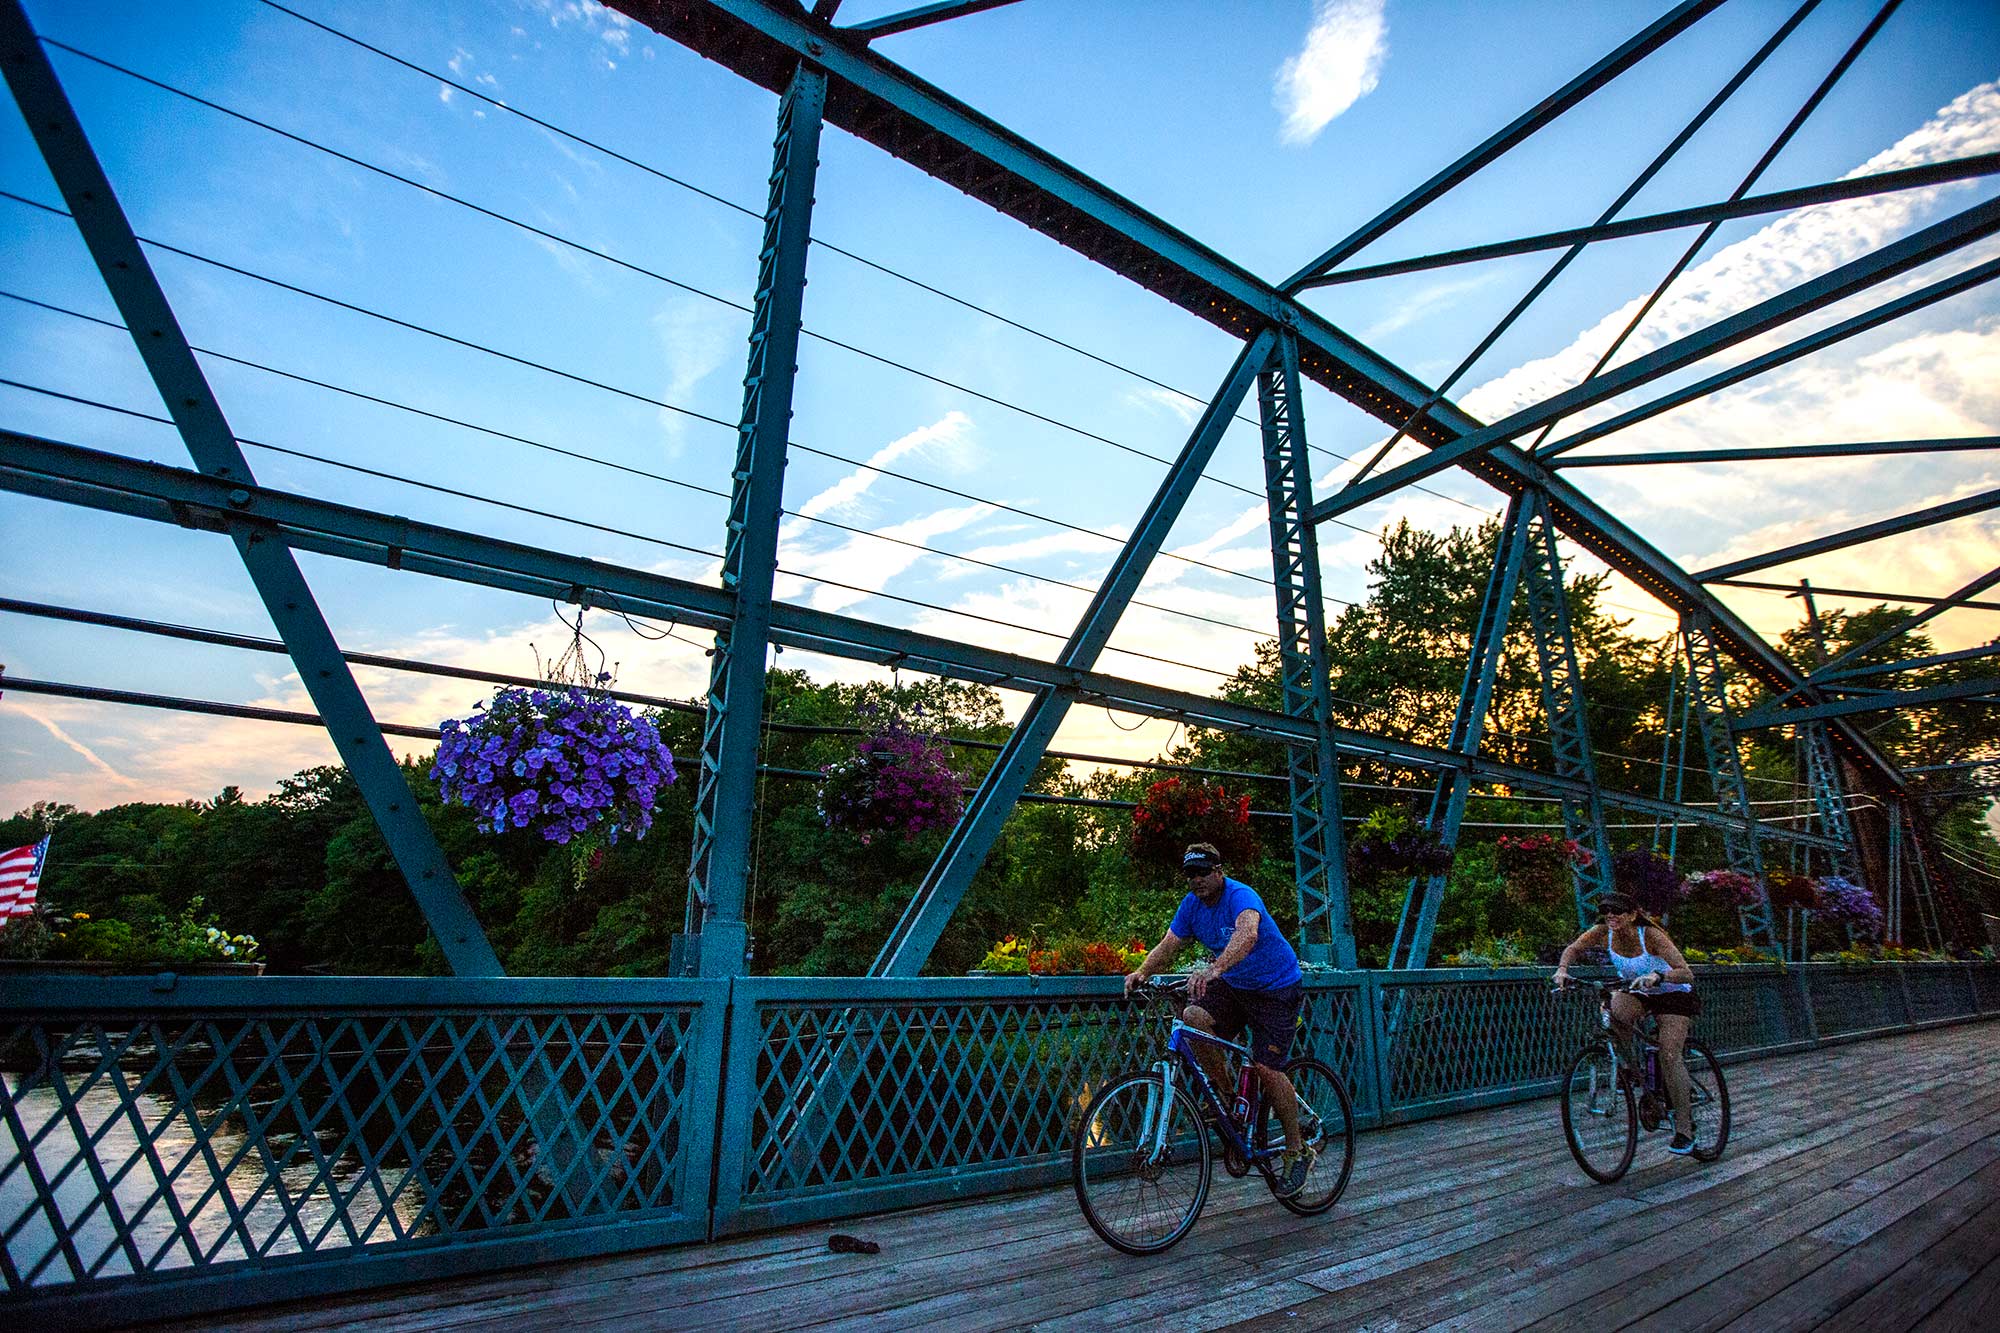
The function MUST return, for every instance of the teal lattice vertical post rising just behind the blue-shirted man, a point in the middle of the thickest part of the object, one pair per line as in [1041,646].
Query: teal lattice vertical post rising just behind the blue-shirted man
[1319,844]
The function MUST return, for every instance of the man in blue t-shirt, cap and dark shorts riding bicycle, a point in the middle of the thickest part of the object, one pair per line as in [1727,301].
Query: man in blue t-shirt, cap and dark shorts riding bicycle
[1255,984]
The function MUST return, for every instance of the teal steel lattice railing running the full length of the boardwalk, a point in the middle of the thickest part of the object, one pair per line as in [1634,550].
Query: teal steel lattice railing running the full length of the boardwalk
[179,1146]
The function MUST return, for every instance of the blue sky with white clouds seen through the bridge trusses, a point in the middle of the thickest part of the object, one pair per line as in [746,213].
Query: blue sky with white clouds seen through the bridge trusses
[1265,129]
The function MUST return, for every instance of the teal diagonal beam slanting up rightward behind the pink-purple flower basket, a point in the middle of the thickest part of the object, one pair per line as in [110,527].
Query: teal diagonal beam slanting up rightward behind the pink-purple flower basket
[931,908]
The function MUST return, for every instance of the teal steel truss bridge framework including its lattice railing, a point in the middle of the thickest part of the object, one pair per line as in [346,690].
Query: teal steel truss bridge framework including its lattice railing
[615,1092]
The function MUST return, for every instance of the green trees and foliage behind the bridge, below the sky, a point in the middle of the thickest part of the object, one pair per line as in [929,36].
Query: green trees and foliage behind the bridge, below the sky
[307,874]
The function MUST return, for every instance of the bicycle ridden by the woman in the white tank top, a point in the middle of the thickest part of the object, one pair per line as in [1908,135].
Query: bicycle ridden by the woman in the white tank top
[1605,1104]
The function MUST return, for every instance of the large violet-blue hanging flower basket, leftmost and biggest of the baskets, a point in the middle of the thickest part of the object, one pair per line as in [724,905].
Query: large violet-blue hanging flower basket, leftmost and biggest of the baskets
[567,762]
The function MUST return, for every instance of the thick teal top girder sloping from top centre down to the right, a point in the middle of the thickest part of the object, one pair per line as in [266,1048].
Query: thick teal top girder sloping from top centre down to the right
[879,101]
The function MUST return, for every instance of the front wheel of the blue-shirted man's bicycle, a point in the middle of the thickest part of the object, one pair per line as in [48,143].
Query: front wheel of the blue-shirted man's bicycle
[1141,1164]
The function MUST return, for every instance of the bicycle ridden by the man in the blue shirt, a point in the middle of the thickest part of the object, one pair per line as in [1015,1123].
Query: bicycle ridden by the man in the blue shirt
[1147,1144]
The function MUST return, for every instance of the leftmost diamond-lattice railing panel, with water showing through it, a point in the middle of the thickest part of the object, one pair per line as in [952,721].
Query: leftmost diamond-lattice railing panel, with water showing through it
[159,1144]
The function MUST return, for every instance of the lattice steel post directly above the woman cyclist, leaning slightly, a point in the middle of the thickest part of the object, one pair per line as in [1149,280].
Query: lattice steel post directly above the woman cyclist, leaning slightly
[1563,702]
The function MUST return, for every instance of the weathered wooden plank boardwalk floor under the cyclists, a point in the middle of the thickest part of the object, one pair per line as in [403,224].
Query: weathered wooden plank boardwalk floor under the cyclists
[1861,1190]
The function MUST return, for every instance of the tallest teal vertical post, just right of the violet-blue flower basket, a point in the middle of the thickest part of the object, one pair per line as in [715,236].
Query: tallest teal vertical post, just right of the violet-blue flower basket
[725,806]
